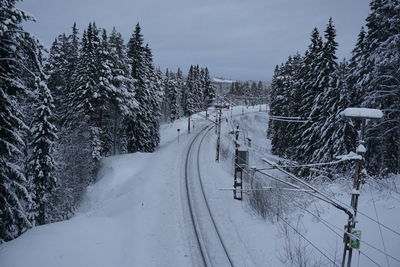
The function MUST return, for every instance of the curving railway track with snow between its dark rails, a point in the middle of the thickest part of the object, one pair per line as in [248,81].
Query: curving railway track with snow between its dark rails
[212,248]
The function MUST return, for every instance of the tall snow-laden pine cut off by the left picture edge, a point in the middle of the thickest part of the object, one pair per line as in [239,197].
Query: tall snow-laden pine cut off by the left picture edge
[18,52]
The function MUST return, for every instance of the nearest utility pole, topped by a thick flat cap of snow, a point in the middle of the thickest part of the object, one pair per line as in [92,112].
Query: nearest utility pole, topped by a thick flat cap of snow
[349,238]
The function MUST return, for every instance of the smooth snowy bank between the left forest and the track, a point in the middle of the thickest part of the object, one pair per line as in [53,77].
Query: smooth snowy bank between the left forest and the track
[131,217]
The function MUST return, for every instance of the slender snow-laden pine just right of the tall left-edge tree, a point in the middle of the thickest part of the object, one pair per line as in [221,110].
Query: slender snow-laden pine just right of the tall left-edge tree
[42,165]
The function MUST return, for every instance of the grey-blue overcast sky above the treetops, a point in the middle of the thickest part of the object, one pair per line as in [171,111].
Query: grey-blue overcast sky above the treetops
[238,39]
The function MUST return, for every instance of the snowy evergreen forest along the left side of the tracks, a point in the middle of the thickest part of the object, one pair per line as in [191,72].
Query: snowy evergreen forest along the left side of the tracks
[91,95]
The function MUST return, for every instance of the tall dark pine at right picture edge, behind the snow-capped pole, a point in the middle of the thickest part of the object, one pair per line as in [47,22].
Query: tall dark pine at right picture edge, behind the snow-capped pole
[381,83]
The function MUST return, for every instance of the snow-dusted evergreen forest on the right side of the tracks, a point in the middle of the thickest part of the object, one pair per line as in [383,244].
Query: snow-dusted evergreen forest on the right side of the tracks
[316,87]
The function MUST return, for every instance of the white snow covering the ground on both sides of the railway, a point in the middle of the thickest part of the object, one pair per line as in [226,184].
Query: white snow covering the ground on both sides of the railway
[137,214]
